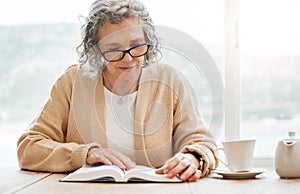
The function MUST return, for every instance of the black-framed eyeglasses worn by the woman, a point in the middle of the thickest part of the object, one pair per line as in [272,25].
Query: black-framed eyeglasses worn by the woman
[117,55]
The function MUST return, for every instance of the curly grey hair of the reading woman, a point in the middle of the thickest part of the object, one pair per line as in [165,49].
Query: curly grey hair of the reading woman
[113,11]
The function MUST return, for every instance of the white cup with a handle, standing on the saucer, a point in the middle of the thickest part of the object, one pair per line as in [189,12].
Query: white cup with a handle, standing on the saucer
[238,154]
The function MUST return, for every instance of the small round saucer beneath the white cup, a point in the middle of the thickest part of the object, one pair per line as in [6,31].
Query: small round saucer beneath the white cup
[239,175]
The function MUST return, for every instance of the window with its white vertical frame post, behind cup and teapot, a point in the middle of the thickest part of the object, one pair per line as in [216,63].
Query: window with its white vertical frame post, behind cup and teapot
[262,63]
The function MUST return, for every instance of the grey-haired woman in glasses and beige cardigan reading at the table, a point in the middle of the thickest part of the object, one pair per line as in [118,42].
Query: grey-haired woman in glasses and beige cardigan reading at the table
[119,106]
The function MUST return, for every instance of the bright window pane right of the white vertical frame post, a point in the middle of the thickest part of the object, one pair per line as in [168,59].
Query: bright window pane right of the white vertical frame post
[269,71]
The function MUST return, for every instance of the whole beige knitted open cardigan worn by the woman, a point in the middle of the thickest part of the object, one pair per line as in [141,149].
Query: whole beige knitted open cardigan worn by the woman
[72,120]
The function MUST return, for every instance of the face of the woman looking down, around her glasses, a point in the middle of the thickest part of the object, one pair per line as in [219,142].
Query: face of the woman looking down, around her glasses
[125,35]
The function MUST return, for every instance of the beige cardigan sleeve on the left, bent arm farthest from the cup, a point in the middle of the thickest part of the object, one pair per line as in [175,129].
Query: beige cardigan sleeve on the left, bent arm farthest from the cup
[43,146]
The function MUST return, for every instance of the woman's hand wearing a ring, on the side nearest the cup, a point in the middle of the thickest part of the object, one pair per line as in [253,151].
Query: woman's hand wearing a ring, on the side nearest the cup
[185,165]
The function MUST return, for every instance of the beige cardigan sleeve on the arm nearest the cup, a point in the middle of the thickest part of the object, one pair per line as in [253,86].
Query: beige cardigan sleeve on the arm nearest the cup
[190,131]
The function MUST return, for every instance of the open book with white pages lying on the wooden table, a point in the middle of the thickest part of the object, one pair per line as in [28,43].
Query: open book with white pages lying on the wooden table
[113,173]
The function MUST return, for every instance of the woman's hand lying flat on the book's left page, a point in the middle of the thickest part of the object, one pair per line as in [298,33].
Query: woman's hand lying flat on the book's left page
[109,157]
